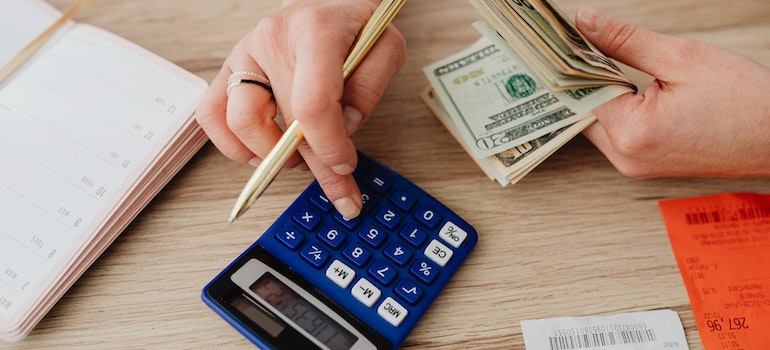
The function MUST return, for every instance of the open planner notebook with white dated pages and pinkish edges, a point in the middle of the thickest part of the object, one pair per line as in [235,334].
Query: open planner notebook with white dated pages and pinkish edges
[91,128]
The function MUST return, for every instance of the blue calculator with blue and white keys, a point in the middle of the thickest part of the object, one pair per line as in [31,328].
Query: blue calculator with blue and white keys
[315,280]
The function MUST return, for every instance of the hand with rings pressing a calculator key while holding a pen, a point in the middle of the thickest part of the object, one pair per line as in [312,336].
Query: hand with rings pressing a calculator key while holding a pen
[300,50]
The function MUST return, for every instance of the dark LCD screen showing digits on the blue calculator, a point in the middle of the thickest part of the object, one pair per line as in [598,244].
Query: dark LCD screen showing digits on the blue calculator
[303,313]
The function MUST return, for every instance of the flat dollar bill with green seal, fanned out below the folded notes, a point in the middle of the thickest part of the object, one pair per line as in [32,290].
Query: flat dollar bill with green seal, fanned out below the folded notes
[496,103]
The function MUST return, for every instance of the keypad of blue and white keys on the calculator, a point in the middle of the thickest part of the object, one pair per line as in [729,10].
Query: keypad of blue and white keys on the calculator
[389,257]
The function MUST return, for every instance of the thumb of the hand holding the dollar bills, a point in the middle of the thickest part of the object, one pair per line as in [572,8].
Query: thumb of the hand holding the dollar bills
[637,47]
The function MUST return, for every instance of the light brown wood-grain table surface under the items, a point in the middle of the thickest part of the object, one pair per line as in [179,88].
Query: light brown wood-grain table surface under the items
[573,238]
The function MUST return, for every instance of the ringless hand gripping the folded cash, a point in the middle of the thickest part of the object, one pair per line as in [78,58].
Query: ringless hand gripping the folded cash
[706,114]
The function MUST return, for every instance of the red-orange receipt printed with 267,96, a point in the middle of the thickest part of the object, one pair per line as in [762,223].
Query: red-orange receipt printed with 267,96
[722,247]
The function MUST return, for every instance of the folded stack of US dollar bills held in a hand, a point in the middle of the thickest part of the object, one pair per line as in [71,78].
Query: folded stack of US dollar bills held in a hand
[524,89]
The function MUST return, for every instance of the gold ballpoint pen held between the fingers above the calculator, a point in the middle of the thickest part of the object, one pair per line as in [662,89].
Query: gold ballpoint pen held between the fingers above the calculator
[292,137]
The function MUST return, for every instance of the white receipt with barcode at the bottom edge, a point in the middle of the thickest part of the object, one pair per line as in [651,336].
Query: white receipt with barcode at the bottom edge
[660,329]
